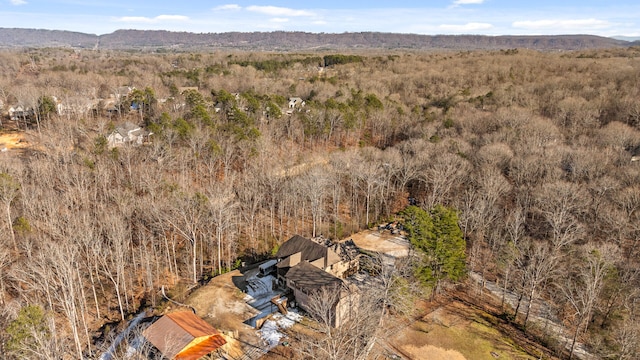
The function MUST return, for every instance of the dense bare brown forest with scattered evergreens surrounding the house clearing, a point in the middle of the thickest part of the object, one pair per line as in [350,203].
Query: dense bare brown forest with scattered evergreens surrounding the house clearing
[534,150]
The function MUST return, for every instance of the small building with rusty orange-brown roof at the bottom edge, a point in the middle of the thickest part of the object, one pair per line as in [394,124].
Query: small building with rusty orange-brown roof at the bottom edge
[183,336]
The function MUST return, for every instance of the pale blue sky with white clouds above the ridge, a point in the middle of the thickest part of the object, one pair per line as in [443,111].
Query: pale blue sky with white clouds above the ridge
[485,17]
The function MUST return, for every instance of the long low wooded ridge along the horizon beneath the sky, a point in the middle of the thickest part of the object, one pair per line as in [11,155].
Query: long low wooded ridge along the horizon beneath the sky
[283,40]
